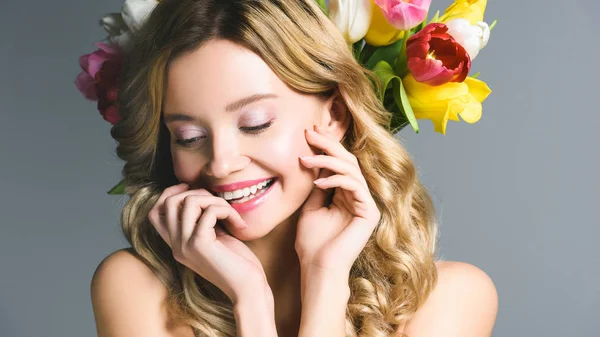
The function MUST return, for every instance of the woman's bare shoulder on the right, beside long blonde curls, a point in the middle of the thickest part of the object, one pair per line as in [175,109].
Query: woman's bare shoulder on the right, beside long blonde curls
[463,303]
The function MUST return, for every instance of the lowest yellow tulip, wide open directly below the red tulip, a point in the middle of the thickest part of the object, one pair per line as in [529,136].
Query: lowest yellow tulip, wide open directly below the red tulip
[447,101]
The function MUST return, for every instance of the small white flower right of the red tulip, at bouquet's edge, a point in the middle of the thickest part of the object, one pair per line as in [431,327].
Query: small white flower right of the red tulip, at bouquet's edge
[472,37]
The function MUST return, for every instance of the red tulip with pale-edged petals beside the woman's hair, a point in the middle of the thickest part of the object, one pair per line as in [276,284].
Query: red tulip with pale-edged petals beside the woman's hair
[435,58]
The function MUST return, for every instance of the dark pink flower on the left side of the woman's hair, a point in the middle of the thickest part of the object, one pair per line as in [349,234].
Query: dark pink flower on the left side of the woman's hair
[99,80]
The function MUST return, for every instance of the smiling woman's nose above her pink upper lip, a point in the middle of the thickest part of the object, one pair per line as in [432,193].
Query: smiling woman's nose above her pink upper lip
[226,157]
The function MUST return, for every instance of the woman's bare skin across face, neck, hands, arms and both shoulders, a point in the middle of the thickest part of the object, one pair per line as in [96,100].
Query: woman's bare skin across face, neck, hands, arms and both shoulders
[290,250]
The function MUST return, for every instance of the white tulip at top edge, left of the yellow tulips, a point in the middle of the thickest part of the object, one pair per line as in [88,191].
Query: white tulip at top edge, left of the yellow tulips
[351,17]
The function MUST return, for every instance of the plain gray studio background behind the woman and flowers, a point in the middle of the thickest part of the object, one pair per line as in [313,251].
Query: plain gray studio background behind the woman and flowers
[516,193]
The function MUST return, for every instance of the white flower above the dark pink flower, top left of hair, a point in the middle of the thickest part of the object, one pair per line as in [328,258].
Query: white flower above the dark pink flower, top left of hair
[121,26]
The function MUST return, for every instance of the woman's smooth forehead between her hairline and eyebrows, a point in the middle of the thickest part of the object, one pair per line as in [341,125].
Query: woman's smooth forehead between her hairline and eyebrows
[217,73]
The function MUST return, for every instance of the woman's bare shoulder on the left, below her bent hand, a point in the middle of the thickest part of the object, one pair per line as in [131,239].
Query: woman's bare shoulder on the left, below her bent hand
[128,299]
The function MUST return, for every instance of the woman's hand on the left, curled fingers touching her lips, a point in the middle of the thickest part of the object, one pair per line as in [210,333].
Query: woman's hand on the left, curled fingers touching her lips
[187,221]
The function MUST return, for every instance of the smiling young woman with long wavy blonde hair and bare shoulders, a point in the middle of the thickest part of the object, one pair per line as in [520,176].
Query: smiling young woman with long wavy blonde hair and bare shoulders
[267,195]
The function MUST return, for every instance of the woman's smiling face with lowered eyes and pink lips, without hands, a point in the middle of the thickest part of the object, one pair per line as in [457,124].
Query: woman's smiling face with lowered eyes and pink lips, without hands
[223,145]
